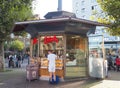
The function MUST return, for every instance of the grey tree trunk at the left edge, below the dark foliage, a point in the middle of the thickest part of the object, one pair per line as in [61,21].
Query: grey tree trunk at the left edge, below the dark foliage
[2,60]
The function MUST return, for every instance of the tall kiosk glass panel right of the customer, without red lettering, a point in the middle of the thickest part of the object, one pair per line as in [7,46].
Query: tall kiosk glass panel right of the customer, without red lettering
[75,56]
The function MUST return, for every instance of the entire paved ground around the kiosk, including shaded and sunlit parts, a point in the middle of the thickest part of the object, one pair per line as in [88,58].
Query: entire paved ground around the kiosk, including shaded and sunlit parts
[17,79]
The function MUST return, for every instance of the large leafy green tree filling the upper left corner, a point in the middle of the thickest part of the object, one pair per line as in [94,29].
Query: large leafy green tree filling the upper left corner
[10,12]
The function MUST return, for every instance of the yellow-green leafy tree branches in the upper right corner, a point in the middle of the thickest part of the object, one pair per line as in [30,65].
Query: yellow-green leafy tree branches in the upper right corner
[111,9]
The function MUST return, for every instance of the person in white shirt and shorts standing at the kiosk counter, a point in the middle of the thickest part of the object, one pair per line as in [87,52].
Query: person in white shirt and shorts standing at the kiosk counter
[51,64]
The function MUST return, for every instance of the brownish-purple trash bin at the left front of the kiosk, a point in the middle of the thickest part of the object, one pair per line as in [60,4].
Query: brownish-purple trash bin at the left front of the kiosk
[32,72]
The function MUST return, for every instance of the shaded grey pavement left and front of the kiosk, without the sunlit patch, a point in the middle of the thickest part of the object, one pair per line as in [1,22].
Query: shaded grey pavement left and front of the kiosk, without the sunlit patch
[17,79]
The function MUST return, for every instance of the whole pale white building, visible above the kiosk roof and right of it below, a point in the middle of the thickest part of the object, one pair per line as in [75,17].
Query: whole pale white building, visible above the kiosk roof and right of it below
[90,9]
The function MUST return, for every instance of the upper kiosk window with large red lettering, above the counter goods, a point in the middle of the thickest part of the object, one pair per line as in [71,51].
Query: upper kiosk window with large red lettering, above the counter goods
[54,43]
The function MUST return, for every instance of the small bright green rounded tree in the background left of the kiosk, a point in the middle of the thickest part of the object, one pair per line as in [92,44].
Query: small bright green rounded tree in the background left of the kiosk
[17,45]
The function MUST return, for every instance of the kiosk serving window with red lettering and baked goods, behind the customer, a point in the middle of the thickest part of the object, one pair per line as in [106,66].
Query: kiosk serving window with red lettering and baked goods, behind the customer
[54,43]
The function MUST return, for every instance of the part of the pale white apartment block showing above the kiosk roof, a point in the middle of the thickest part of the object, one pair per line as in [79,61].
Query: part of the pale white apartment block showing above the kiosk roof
[85,8]
